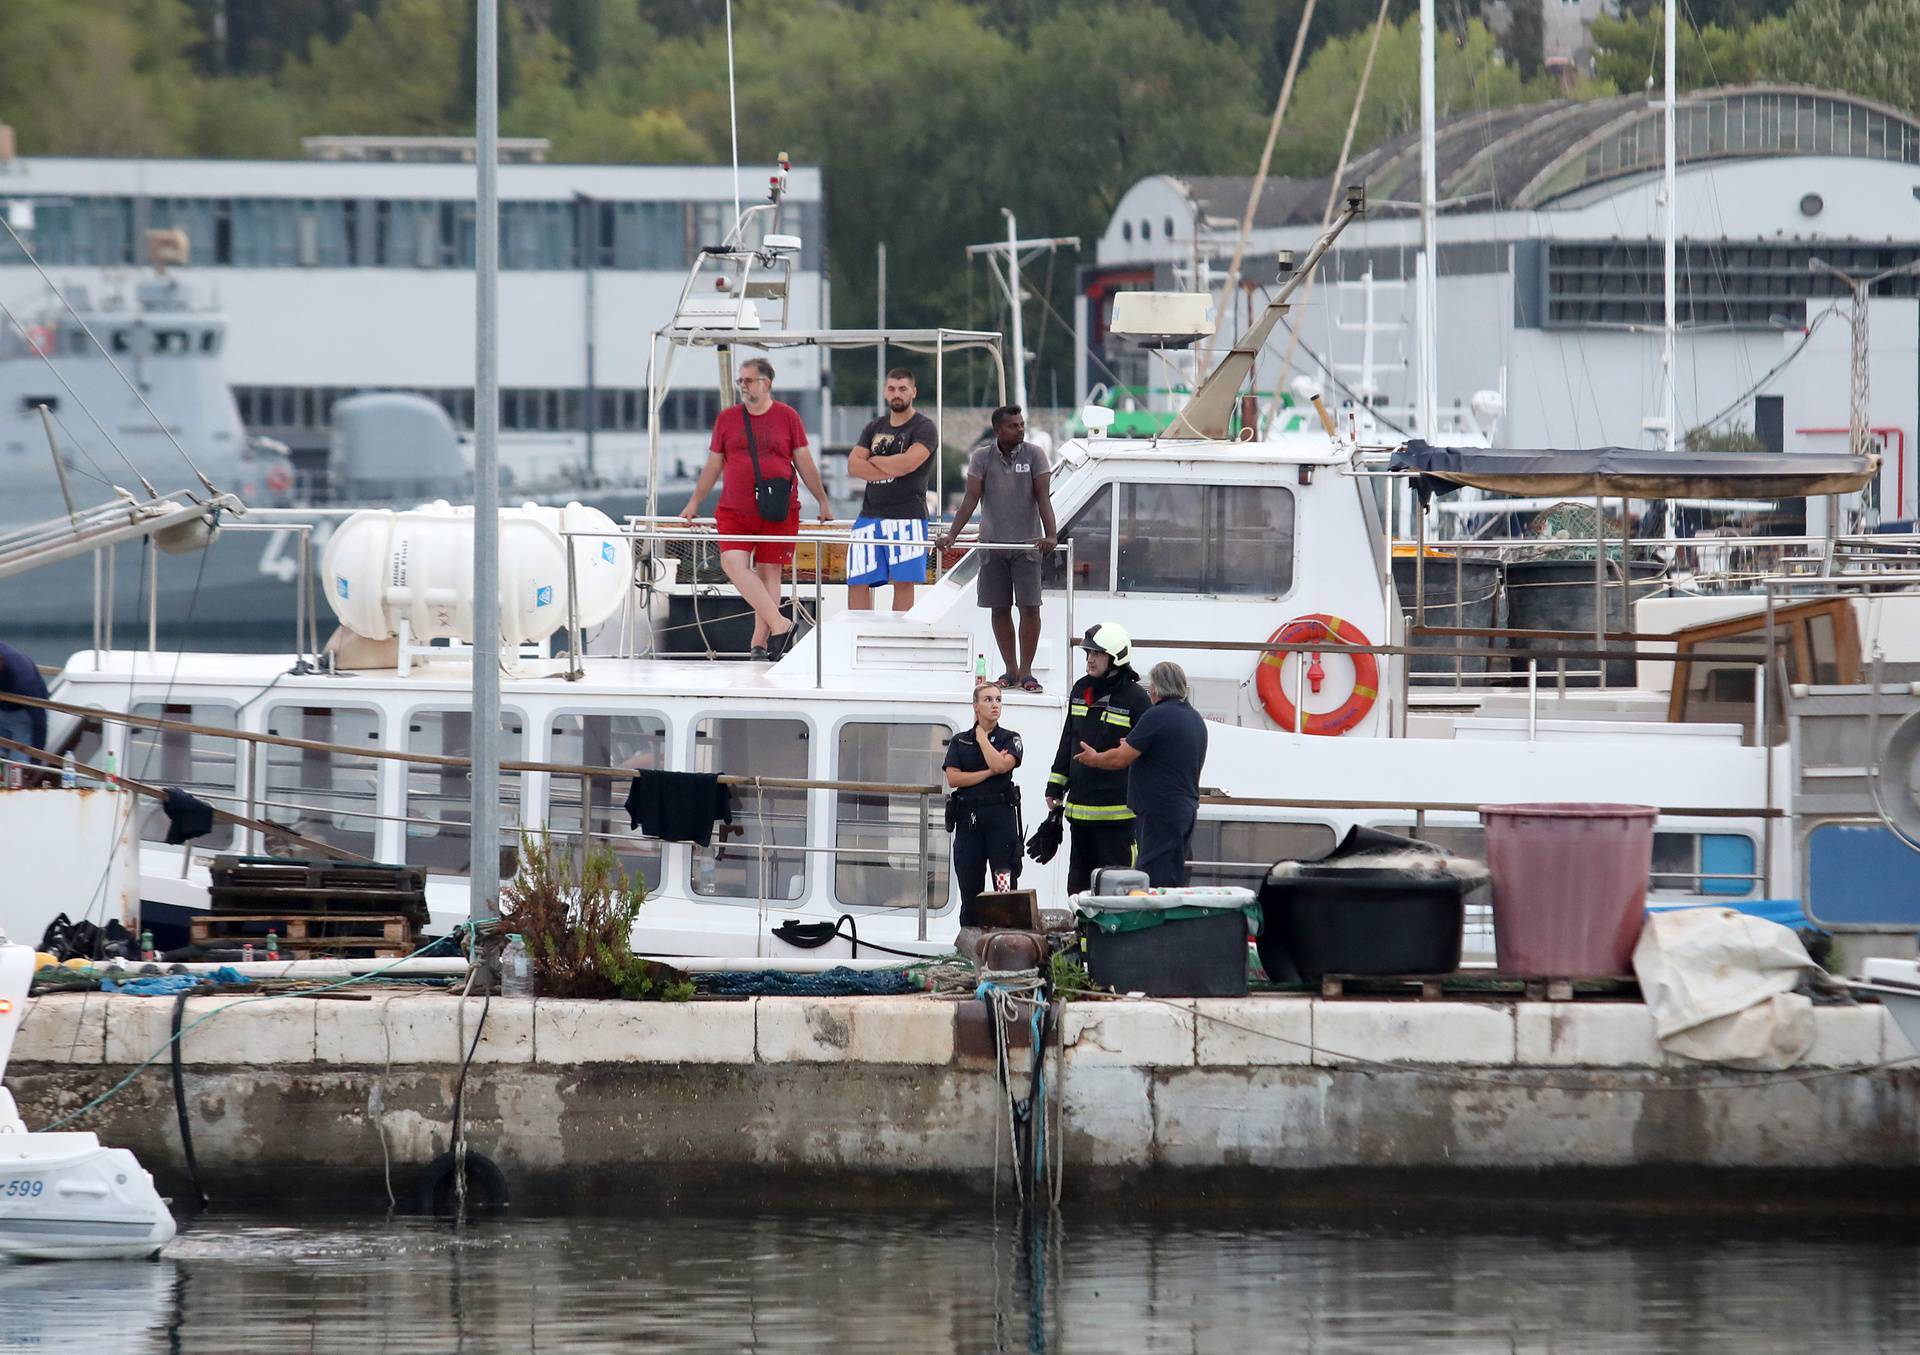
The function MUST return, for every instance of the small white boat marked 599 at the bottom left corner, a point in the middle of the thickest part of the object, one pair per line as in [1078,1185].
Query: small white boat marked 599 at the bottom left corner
[62,1195]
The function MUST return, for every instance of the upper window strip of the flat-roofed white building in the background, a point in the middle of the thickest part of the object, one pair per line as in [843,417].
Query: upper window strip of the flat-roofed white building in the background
[379,233]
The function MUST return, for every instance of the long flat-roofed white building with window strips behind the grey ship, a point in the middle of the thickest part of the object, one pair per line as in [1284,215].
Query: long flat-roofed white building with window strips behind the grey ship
[354,272]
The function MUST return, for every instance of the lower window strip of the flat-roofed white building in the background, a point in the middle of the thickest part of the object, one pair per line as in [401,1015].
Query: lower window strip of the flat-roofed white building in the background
[285,410]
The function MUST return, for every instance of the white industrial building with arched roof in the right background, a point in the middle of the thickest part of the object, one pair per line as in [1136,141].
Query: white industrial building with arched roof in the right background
[1550,272]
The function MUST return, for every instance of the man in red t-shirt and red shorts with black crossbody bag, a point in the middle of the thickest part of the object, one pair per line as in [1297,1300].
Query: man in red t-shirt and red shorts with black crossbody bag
[780,442]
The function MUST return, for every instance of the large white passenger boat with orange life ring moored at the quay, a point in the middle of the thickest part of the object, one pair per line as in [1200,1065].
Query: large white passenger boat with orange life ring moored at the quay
[1186,540]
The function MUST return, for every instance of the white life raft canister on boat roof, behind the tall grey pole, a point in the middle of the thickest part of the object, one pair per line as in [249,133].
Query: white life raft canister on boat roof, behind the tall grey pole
[387,567]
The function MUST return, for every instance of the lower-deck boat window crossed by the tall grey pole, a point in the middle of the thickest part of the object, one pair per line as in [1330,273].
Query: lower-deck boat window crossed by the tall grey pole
[439,799]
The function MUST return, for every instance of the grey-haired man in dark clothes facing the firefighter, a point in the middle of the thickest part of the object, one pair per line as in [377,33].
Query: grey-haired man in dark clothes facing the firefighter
[1163,757]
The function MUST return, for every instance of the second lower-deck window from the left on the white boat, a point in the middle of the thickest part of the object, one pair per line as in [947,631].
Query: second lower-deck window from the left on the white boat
[331,796]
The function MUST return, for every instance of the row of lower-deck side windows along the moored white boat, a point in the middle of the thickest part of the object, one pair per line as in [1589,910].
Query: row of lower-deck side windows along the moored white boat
[873,845]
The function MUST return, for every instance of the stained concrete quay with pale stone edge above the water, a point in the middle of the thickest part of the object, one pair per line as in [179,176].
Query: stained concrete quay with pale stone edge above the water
[587,1101]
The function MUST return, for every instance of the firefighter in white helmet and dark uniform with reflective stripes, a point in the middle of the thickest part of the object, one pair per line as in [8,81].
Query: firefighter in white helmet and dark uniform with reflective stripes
[1101,713]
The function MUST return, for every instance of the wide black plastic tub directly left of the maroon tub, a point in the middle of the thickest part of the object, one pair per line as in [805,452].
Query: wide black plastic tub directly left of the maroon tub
[1360,920]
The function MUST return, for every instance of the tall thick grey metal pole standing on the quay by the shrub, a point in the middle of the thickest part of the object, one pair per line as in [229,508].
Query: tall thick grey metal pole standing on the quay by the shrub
[485,792]
